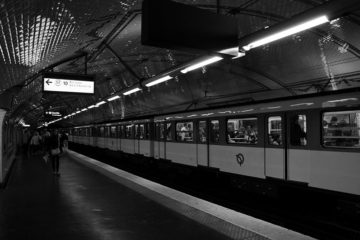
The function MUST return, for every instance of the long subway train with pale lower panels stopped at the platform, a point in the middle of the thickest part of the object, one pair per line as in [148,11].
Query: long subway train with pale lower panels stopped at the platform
[311,141]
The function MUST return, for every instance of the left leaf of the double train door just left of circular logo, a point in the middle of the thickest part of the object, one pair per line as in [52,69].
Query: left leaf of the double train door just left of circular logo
[202,146]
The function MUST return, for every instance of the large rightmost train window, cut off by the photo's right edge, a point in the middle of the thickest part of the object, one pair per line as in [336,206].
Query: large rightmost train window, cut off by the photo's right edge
[341,129]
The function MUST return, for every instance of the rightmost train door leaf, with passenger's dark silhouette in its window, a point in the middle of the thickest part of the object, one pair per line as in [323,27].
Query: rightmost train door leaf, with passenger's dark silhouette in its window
[298,152]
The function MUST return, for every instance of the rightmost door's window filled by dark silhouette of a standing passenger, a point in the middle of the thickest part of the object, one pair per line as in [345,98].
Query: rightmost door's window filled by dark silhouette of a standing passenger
[298,130]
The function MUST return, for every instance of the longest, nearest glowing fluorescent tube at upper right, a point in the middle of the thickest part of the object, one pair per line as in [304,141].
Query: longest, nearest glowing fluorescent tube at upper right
[290,31]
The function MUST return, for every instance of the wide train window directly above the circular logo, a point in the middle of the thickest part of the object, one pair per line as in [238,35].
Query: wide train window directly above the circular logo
[242,131]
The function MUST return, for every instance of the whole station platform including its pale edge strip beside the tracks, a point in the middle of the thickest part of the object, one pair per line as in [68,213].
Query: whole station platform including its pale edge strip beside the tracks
[92,200]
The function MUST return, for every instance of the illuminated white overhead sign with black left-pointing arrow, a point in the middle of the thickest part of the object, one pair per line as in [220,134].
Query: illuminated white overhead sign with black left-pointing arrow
[68,84]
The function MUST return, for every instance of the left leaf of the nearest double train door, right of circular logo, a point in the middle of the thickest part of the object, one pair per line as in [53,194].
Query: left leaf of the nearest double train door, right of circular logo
[275,147]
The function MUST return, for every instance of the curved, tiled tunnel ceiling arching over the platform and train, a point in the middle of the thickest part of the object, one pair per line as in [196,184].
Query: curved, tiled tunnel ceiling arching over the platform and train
[36,35]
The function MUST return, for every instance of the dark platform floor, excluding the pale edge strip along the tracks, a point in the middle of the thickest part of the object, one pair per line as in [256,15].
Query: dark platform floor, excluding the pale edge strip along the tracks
[84,204]
